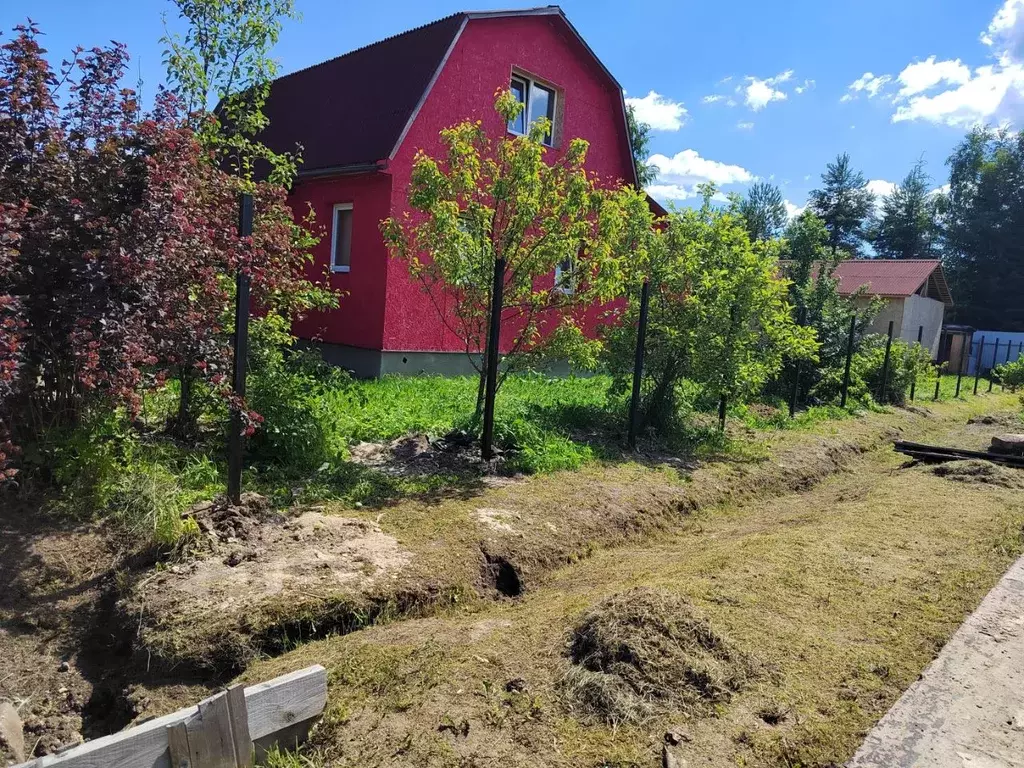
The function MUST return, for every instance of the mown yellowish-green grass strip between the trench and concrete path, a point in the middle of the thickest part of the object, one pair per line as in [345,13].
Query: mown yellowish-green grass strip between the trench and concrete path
[837,596]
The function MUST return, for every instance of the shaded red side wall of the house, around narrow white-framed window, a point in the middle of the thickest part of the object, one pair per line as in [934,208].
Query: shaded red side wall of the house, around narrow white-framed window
[360,319]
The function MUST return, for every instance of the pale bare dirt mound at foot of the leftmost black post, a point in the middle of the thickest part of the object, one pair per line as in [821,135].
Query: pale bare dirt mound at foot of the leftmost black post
[262,573]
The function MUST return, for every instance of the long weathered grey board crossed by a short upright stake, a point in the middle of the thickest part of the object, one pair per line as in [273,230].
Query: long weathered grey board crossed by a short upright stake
[273,706]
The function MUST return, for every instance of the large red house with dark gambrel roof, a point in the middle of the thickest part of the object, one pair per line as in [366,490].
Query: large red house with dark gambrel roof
[361,119]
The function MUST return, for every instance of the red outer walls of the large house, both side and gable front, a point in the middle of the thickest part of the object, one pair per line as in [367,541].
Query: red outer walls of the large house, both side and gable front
[385,309]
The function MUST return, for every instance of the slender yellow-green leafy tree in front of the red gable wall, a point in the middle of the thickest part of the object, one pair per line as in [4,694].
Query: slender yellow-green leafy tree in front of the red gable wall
[489,200]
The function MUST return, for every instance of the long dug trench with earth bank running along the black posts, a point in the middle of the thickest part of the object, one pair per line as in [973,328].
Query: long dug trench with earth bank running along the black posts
[105,639]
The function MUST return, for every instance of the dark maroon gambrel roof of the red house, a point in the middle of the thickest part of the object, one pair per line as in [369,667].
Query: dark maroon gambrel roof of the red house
[353,112]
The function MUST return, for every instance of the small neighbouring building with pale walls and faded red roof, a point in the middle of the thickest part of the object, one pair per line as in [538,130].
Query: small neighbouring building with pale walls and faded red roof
[916,293]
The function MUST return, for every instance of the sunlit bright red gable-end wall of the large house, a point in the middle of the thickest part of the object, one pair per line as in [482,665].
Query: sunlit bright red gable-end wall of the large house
[483,62]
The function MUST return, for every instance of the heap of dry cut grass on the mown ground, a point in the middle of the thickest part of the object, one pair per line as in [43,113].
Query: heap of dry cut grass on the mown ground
[646,651]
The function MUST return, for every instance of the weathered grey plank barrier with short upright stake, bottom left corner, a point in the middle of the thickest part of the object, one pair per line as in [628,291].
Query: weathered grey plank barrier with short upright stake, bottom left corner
[217,734]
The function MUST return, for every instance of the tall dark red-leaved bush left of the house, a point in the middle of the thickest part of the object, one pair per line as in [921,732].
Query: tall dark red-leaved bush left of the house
[118,244]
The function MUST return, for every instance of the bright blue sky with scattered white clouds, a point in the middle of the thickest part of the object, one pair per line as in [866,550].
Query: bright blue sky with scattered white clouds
[770,90]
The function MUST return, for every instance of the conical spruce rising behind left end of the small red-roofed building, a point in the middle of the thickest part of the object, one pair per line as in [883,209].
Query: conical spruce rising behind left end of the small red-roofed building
[845,204]
